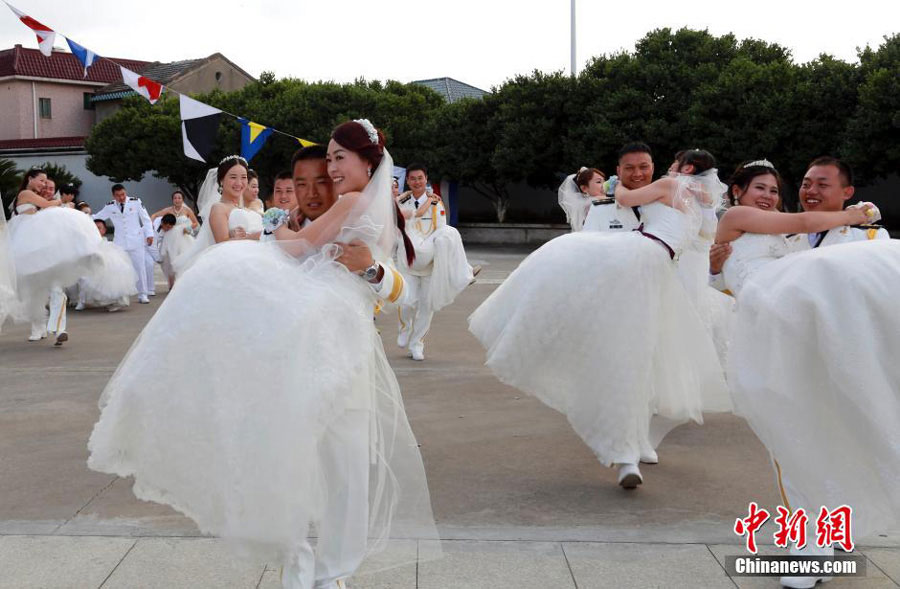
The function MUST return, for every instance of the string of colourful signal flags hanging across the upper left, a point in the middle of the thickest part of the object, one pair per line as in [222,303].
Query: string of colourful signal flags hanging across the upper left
[199,121]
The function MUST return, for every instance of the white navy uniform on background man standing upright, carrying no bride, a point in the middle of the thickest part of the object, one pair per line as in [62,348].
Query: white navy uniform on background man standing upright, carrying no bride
[132,228]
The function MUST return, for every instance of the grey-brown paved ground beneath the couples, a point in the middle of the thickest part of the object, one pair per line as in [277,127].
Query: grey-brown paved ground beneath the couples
[520,501]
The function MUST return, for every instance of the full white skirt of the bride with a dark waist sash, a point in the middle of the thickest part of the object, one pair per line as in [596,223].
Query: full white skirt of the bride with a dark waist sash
[599,327]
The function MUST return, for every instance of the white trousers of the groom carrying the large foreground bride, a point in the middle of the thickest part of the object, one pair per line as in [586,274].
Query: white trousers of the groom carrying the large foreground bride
[343,529]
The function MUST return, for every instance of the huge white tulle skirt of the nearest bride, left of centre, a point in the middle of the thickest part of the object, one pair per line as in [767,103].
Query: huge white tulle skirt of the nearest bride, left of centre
[218,408]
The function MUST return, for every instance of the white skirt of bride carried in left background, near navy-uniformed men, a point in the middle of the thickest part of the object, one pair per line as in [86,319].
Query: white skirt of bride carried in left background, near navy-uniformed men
[52,248]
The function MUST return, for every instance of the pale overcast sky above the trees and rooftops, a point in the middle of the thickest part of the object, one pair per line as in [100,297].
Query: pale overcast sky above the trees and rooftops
[481,42]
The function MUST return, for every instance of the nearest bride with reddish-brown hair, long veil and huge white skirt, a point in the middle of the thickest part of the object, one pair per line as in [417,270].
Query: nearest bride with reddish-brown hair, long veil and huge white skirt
[315,436]
